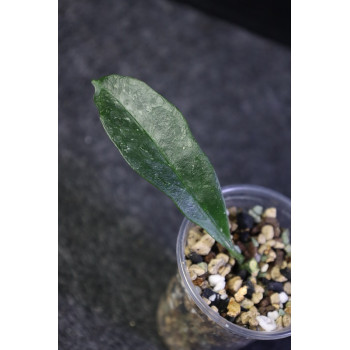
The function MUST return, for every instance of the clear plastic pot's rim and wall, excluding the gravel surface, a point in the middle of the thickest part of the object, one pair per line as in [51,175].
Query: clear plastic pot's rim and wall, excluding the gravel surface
[185,321]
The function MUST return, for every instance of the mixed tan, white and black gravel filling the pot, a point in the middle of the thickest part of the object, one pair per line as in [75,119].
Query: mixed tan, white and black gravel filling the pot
[257,293]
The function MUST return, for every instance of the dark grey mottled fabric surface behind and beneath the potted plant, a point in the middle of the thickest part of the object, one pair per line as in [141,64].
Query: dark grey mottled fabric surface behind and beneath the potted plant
[116,232]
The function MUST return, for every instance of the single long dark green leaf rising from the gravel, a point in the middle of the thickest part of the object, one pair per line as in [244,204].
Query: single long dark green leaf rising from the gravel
[155,140]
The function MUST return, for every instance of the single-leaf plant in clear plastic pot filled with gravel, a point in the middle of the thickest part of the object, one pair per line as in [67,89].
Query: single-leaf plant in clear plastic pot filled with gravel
[233,251]
